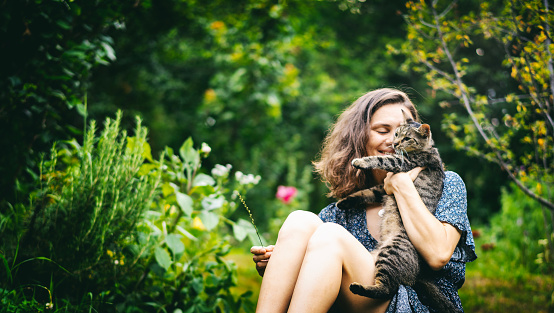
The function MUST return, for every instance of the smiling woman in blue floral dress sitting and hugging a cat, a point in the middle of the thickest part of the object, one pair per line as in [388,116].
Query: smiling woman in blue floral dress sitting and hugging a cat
[316,258]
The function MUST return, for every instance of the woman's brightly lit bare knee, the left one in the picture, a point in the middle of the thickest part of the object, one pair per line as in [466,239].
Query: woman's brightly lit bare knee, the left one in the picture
[299,224]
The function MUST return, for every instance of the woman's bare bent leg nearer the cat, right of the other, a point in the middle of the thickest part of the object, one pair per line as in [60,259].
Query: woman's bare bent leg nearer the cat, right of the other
[334,259]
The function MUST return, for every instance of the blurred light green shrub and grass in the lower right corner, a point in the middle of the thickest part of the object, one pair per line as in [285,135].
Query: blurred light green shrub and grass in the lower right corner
[515,266]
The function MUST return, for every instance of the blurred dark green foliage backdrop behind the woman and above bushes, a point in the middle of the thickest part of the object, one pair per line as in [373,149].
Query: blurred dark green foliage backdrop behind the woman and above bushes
[260,80]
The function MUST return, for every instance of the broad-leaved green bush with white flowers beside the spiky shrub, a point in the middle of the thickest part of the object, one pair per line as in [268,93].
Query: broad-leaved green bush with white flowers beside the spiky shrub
[179,255]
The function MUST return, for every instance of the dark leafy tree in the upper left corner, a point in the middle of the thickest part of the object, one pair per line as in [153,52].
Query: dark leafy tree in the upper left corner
[49,49]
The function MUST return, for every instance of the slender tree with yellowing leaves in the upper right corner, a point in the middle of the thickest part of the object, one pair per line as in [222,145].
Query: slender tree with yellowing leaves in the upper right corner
[507,113]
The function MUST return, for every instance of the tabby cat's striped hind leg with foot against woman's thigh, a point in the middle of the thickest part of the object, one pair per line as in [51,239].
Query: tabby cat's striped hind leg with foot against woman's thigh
[397,264]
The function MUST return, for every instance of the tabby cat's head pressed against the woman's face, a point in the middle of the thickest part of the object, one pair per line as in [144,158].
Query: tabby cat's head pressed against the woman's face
[412,136]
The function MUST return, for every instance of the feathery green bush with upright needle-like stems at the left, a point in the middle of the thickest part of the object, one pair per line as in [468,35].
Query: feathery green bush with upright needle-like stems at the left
[89,200]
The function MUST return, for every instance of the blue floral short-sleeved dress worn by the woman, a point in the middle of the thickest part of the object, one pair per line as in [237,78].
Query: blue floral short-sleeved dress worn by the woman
[452,208]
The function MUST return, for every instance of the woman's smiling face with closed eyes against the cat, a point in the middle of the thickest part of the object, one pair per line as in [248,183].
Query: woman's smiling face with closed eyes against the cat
[381,132]
